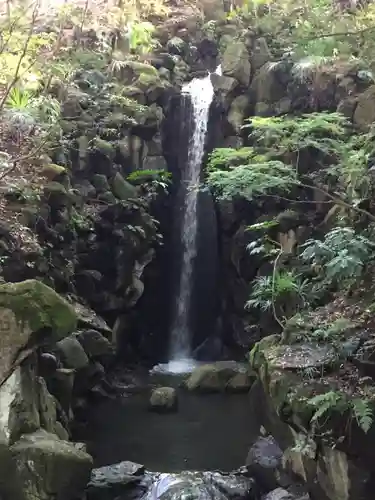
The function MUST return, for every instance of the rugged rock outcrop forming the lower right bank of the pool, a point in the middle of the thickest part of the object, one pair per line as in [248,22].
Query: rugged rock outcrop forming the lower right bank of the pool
[331,465]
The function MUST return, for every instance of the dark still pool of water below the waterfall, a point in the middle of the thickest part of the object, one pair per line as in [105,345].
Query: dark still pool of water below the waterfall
[208,432]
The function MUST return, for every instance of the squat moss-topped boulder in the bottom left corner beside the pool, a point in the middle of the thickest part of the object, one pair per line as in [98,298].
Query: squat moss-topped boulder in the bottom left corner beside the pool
[49,468]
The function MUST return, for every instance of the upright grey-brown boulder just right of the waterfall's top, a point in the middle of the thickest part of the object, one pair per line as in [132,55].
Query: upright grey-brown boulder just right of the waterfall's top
[236,63]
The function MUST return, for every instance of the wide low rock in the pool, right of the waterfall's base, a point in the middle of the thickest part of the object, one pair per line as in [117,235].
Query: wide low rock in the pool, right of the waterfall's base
[221,376]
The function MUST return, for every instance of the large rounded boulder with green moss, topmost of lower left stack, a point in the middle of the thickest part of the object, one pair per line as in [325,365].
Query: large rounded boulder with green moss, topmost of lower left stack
[31,312]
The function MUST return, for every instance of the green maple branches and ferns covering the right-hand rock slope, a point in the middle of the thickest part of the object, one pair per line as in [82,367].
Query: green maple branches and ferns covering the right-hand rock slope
[287,163]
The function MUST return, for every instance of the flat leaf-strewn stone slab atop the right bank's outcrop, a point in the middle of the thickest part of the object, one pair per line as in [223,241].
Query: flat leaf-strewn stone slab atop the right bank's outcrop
[300,356]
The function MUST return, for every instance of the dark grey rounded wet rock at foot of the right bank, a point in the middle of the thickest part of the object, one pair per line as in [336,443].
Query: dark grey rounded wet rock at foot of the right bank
[263,461]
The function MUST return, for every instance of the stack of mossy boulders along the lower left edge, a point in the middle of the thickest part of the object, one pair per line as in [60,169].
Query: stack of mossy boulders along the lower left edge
[32,429]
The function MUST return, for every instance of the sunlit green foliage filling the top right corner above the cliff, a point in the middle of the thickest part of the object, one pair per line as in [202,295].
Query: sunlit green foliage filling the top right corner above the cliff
[320,30]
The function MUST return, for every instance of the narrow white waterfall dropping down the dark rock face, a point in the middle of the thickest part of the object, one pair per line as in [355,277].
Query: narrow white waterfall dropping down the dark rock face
[200,92]
